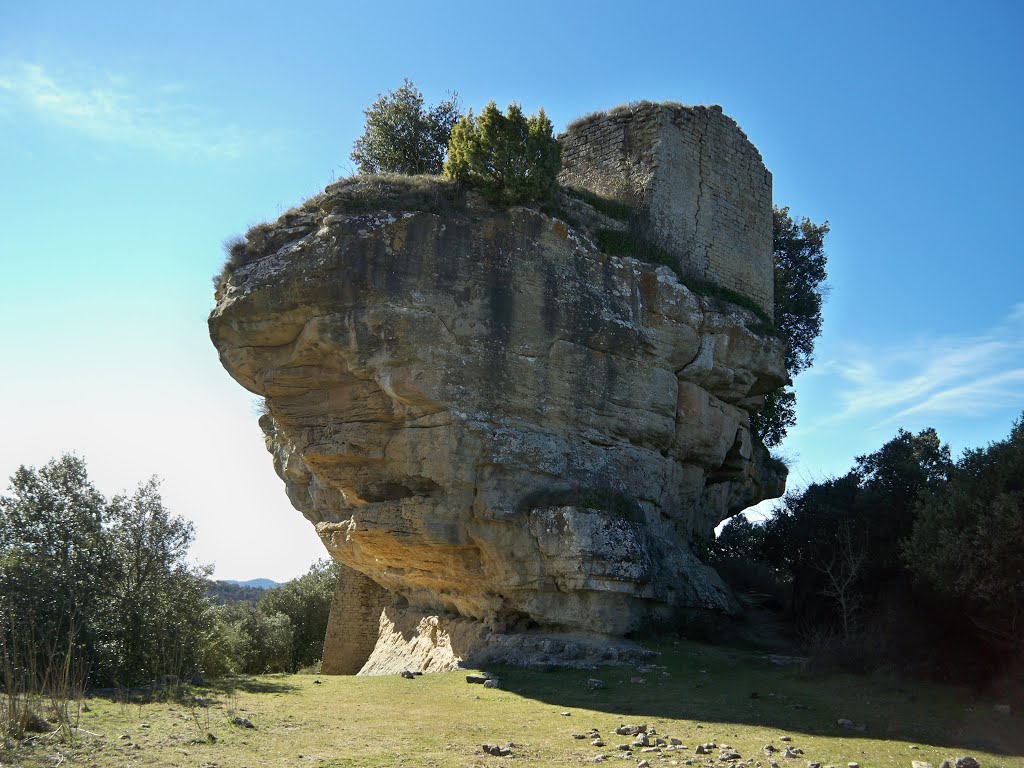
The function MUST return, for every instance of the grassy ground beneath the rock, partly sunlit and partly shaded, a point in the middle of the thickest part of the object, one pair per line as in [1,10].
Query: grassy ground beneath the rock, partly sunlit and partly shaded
[693,693]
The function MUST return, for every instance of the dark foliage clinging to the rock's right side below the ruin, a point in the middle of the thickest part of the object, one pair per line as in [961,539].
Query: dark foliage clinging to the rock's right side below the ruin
[800,262]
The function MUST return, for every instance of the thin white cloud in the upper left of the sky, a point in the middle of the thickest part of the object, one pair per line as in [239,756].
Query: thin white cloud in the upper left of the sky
[111,109]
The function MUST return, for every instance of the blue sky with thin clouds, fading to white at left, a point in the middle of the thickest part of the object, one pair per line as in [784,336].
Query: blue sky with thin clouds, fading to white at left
[135,139]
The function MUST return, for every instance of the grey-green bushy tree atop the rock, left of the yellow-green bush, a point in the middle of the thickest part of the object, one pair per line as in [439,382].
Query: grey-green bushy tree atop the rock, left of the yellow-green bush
[404,137]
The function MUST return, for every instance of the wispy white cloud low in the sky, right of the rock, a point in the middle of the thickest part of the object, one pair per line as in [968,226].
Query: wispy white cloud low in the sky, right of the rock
[970,375]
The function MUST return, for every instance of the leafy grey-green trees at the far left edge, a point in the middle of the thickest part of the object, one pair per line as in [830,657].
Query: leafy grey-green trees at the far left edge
[107,578]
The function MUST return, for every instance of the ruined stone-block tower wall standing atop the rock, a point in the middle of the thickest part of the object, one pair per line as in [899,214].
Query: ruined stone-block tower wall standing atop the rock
[699,186]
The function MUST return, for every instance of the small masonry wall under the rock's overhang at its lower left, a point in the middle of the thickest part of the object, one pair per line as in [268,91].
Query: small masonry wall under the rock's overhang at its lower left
[355,622]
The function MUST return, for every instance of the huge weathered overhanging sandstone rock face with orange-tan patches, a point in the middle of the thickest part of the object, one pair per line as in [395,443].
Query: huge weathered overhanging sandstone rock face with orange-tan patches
[489,417]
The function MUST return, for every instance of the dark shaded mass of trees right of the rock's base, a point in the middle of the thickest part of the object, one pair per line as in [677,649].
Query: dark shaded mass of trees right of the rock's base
[908,560]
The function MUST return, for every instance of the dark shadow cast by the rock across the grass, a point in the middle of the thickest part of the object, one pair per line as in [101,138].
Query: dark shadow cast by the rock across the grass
[724,686]
